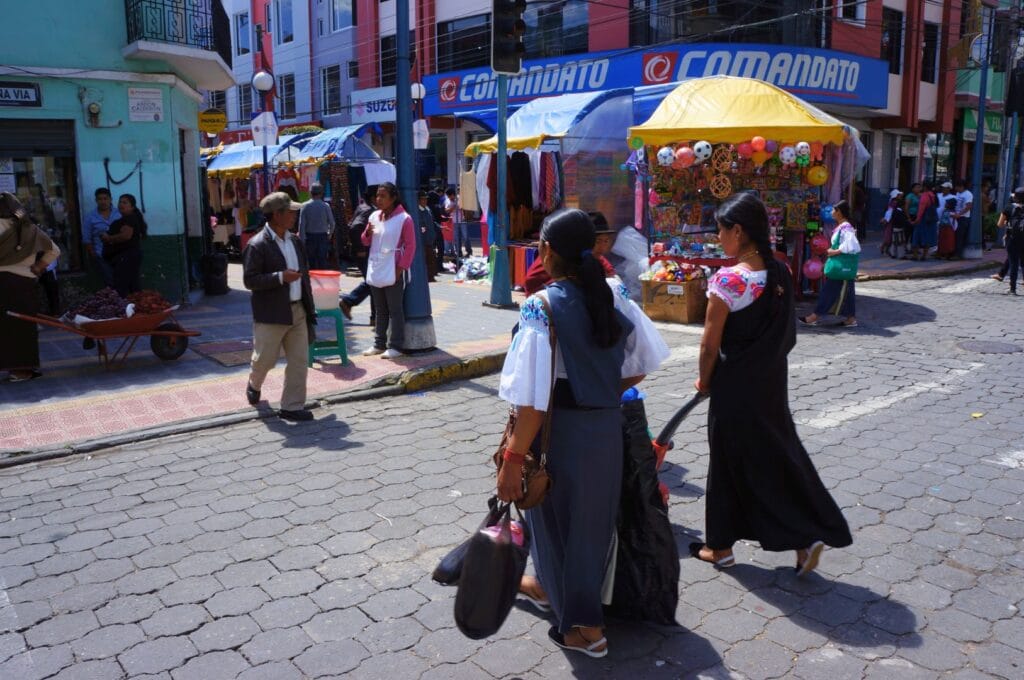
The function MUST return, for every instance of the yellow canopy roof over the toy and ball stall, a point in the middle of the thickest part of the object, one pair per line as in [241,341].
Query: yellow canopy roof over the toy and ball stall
[732,110]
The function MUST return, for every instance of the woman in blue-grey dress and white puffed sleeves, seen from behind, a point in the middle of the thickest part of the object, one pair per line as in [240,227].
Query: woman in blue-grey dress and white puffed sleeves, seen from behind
[600,354]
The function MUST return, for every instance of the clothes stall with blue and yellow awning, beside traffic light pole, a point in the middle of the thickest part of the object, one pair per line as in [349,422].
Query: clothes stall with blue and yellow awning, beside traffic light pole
[563,152]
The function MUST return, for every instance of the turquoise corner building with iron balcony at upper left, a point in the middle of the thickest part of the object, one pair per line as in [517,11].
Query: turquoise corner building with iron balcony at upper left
[81,109]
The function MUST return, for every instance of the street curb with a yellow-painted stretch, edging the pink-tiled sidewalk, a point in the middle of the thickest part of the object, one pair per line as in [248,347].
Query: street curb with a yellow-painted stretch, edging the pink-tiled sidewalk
[392,386]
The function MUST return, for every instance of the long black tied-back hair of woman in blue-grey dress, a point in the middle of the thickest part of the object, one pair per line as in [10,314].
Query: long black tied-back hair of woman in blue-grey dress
[570,234]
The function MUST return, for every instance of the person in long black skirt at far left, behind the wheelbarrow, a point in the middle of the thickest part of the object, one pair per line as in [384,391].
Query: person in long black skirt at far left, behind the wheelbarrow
[26,251]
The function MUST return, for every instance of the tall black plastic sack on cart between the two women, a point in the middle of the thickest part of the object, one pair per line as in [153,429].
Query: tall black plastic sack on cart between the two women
[648,563]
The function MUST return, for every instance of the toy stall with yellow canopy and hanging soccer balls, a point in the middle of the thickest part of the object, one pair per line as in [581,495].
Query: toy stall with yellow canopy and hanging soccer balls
[711,138]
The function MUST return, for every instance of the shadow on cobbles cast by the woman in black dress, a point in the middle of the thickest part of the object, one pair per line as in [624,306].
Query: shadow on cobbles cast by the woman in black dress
[845,614]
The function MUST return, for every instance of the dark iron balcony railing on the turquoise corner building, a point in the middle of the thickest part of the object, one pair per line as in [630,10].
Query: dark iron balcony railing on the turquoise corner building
[187,23]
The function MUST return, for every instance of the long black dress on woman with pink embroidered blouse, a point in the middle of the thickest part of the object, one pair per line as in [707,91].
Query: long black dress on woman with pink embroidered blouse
[762,485]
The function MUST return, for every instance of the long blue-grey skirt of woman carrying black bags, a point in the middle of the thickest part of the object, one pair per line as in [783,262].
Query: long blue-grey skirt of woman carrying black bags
[574,528]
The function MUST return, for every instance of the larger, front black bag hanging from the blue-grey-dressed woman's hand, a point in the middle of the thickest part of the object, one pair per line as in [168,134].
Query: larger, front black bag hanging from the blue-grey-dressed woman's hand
[492,571]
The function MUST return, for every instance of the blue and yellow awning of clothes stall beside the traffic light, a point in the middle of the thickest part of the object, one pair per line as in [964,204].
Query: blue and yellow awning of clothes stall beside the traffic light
[547,118]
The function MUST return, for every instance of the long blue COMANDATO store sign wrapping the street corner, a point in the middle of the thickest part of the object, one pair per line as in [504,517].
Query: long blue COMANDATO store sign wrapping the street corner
[821,76]
